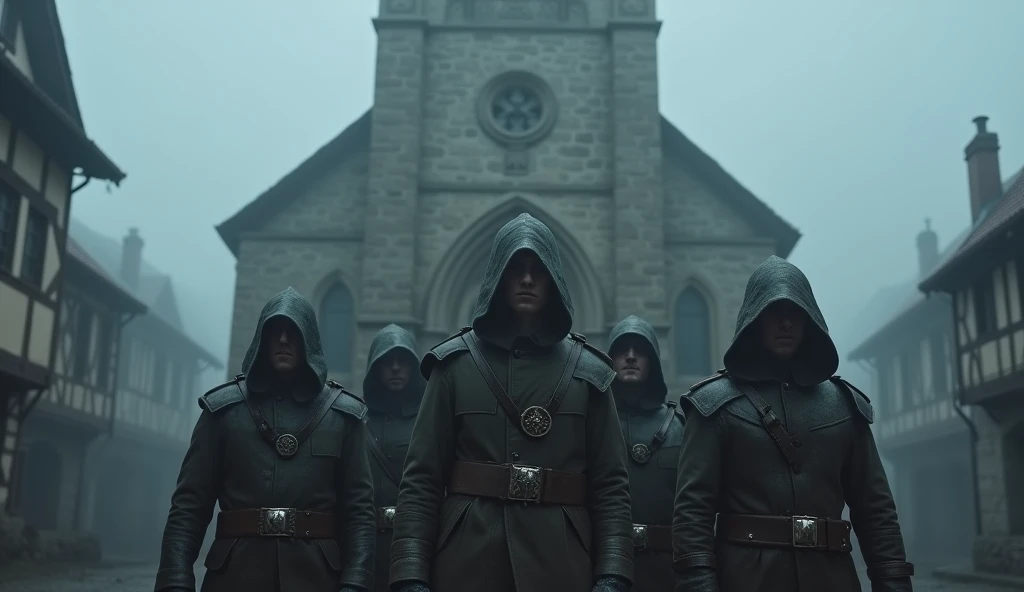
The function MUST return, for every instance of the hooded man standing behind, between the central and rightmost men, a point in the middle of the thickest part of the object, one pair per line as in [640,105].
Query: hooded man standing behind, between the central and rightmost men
[653,431]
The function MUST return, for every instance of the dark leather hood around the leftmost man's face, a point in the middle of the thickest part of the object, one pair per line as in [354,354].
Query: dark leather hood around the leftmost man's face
[313,368]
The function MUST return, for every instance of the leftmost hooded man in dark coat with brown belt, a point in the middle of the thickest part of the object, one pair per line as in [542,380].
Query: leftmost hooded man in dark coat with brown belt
[283,450]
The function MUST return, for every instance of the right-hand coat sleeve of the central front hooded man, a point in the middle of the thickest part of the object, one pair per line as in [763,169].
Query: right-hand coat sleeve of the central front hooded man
[609,490]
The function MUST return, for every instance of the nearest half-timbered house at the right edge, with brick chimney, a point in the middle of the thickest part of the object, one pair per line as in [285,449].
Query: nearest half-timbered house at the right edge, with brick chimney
[985,282]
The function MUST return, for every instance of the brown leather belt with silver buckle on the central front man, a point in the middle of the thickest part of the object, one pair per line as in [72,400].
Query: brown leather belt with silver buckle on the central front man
[519,483]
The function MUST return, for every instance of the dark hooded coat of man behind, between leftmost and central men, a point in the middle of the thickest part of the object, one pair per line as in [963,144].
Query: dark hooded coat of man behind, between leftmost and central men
[390,422]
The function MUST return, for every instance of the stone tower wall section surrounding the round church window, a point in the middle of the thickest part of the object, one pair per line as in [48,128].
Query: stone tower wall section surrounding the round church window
[575,65]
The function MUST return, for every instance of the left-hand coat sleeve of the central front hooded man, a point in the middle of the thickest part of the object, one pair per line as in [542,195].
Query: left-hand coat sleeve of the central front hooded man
[429,464]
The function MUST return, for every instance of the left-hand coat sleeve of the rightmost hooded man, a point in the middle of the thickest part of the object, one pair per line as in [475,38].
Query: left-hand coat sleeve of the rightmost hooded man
[699,480]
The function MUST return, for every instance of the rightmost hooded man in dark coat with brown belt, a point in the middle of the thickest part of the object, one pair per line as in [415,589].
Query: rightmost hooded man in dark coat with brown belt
[777,446]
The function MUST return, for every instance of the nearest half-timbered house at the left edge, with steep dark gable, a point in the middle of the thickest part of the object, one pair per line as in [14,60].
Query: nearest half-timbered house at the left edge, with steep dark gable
[46,157]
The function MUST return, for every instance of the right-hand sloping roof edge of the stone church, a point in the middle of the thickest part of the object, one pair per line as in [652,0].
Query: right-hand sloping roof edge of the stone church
[728,188]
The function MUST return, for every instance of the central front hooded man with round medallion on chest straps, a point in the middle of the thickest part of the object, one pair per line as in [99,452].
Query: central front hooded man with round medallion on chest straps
[513,483]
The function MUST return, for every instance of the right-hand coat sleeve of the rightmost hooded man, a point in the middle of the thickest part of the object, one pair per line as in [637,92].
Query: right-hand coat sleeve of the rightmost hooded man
[873,513]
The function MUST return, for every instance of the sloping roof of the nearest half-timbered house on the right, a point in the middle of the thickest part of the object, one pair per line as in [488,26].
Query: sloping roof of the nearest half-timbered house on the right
[1002,216]
